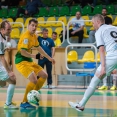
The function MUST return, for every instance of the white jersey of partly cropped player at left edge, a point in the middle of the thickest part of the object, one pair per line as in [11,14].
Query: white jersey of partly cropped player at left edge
[2,44]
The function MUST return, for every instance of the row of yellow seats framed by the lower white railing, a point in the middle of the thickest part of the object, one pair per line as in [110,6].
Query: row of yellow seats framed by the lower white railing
[88,56]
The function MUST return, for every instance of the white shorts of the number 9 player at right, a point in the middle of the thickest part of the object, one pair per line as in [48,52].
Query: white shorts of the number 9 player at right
[111,64]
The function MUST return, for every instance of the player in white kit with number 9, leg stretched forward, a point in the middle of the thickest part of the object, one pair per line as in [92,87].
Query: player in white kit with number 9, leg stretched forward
[105,39]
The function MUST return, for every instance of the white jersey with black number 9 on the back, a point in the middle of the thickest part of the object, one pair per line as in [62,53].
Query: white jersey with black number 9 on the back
[106,36]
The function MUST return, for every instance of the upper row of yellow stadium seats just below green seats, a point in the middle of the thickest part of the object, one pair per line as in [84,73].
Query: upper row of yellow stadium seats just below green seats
[63,19]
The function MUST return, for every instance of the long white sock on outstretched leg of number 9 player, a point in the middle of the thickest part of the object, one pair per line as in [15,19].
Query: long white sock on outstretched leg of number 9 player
[90,90]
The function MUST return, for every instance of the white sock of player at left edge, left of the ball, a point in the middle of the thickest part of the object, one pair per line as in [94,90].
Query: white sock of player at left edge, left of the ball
[10,92]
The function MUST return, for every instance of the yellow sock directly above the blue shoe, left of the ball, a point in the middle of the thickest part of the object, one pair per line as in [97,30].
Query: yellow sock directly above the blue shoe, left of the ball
[29,87]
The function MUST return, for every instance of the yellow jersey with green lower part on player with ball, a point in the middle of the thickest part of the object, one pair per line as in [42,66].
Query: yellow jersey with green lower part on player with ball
[27,41]
